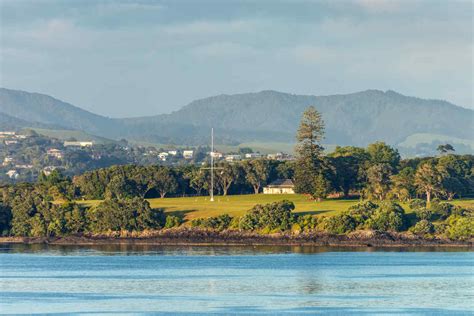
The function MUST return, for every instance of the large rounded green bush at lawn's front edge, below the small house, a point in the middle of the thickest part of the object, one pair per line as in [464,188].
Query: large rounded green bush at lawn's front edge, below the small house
[273,217]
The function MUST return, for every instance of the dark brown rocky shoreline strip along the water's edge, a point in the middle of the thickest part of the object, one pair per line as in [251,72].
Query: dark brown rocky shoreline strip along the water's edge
[197,237]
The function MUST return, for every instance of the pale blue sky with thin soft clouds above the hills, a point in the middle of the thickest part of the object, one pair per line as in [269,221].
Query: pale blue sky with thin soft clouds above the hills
[137,58]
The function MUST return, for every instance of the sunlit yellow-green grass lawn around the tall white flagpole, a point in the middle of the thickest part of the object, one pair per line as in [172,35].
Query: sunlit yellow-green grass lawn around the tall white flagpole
[237,205]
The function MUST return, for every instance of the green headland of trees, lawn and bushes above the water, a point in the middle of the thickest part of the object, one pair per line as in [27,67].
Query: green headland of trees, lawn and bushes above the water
[353,196]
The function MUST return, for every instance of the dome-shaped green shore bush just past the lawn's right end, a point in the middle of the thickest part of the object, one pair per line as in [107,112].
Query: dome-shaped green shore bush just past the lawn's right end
[388,217]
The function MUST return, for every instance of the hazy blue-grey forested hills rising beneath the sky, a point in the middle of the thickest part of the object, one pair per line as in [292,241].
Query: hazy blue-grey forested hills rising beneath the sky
[267,116]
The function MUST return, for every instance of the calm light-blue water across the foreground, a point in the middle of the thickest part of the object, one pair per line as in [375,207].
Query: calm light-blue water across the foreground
[247,280]
